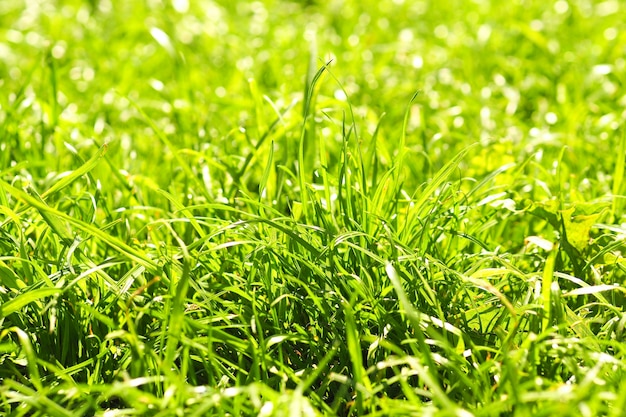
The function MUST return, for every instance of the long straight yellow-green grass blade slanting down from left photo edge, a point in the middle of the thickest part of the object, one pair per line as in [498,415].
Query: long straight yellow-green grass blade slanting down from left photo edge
[124,249]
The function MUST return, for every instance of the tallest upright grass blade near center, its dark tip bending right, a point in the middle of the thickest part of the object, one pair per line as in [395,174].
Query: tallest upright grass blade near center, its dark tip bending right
[308,118]
